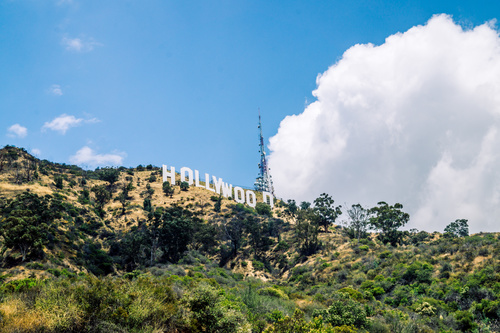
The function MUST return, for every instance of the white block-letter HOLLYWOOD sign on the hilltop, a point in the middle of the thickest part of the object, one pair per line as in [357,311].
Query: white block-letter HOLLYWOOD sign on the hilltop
[216,185]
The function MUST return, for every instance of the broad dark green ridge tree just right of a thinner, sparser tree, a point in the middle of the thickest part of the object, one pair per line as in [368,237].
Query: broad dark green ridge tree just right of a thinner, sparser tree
[388,219]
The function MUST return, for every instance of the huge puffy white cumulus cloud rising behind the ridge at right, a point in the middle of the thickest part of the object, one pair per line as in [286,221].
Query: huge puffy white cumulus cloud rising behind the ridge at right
[415,120]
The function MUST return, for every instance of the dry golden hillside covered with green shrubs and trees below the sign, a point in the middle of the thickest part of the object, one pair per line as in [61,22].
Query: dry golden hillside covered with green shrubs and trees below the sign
[108,251]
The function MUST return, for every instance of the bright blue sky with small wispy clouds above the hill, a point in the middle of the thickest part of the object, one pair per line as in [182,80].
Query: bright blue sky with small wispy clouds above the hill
[180,82]
